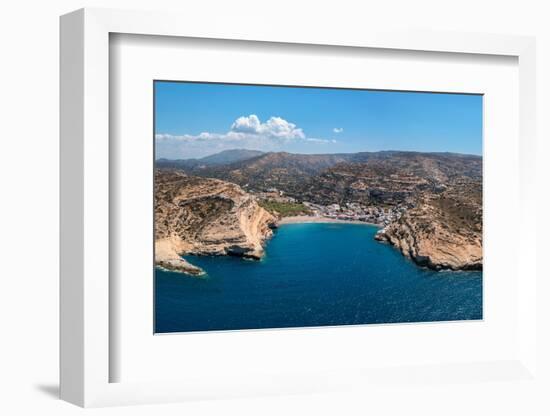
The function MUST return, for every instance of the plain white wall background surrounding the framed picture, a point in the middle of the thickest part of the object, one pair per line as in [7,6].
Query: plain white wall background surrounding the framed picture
[29,114]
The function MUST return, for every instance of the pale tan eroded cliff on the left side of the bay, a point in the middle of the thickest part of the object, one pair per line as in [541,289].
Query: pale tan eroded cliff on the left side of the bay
[206,217]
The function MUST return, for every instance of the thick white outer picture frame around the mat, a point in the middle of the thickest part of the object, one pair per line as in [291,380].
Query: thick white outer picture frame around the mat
[85,206]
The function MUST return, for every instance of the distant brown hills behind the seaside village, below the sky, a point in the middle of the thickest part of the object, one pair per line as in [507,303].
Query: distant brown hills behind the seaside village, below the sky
[367,177]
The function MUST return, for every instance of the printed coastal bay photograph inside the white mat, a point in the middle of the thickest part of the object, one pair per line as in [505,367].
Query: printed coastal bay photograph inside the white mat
[299,207]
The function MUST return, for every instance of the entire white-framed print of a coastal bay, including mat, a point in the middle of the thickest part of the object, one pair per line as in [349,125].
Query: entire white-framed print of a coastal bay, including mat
[265,213]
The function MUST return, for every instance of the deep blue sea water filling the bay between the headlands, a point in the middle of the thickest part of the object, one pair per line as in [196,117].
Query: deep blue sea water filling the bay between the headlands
[314,275]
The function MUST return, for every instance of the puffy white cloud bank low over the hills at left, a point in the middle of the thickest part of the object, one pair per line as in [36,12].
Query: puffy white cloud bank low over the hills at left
[245,132]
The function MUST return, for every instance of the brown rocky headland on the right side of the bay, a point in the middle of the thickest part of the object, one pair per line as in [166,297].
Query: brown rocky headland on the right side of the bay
[441,232]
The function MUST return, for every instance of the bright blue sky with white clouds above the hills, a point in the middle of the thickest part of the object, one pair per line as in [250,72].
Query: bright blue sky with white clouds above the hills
[195,120]
